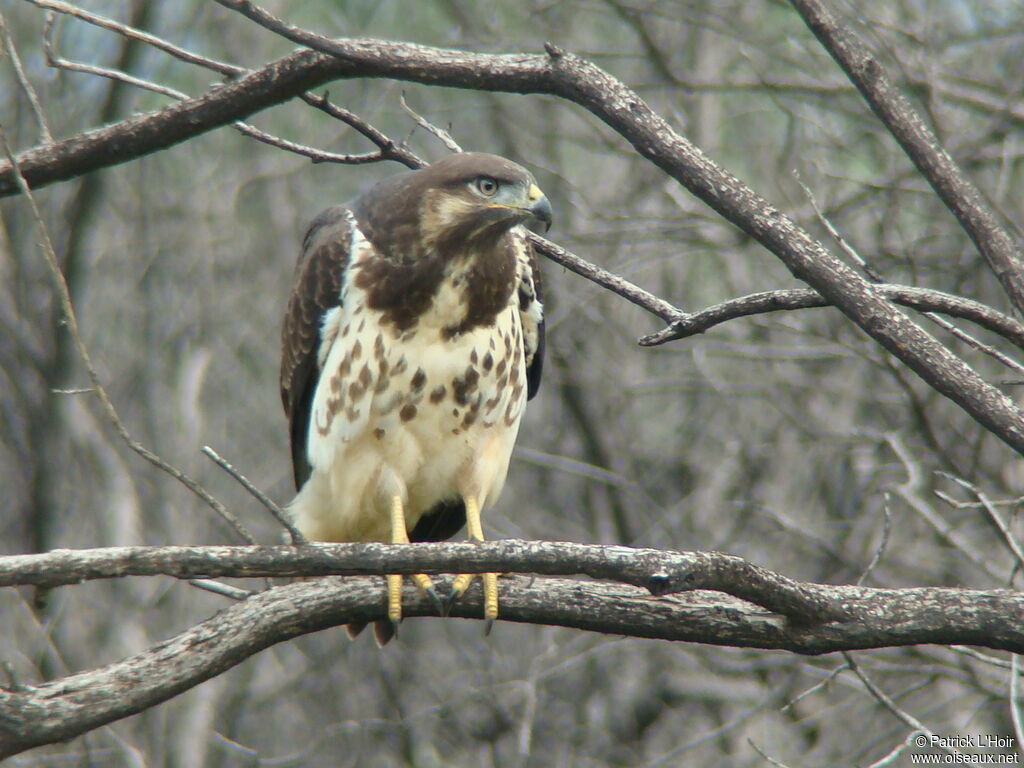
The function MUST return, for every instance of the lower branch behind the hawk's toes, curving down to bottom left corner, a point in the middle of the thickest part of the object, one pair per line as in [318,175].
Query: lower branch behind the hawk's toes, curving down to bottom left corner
[60,710]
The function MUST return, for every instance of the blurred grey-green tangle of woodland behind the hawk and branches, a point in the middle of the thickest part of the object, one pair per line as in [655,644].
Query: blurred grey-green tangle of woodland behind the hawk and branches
[790,440]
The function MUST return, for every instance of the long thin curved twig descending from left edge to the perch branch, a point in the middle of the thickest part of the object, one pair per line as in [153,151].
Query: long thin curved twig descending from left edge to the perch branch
[71,320]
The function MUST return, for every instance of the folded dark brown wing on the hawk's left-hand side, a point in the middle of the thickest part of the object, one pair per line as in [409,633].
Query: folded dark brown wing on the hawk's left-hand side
[316,289]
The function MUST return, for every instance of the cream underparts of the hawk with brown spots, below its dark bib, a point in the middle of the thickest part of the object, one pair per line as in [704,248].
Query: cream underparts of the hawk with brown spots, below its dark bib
[416,412]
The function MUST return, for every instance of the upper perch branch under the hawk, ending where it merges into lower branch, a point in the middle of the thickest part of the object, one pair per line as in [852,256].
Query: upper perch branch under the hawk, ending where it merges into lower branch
[659,572]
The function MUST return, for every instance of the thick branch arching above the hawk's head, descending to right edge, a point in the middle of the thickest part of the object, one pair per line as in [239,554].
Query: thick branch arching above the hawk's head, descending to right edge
[583,83]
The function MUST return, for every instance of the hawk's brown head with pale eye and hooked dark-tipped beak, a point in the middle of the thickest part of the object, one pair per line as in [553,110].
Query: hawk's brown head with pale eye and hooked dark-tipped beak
[474,200]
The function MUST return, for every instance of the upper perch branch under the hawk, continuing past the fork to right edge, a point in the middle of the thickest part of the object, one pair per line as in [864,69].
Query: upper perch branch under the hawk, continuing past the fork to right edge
[991,619]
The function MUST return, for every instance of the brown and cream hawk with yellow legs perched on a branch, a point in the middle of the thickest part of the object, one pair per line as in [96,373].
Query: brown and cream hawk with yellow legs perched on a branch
[413,338]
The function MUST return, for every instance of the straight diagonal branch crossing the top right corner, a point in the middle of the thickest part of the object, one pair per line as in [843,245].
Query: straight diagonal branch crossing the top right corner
[922,146]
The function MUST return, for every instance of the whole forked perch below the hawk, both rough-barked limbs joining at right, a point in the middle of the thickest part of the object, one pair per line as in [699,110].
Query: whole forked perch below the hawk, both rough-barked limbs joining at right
[821,619]
